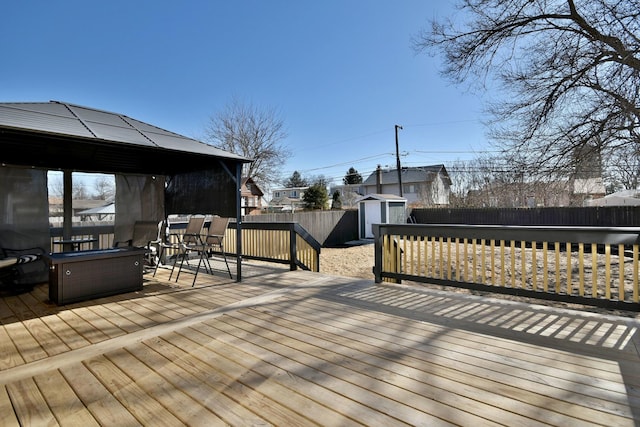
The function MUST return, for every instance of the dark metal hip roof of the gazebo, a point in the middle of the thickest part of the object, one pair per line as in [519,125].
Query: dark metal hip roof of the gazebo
[59,135]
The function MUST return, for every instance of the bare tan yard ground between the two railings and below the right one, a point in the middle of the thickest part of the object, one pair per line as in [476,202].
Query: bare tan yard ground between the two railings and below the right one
[358,261]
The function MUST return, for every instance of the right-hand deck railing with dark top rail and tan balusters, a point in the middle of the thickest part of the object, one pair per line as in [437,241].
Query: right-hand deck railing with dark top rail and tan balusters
[586,265]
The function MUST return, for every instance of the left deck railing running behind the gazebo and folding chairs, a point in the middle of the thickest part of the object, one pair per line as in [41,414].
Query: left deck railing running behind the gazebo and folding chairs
[281,242]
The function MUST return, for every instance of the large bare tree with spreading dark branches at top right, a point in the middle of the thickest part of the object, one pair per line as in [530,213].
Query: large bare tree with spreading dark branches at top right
[571,71]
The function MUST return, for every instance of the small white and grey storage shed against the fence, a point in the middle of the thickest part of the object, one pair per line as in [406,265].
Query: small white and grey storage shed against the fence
[380,209]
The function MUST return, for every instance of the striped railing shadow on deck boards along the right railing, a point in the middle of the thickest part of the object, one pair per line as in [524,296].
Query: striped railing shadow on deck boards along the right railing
[512,320]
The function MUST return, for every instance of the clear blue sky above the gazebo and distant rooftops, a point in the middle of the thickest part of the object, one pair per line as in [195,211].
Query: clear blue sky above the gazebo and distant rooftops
[341,73]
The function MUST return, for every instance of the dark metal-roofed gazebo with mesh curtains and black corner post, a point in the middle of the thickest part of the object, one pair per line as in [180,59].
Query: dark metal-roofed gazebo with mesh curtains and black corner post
[158,172]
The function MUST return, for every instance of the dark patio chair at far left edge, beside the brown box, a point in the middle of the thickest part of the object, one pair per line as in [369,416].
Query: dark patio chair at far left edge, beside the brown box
[21,269]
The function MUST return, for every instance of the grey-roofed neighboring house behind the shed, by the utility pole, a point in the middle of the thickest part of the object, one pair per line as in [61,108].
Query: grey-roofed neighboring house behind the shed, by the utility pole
[422,186]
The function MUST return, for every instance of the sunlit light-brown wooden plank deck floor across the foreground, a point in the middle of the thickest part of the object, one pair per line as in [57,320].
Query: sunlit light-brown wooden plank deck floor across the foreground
[300,348]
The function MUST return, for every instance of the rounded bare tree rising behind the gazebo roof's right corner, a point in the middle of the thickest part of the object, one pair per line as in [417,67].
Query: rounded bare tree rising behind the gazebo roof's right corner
[252,132]
